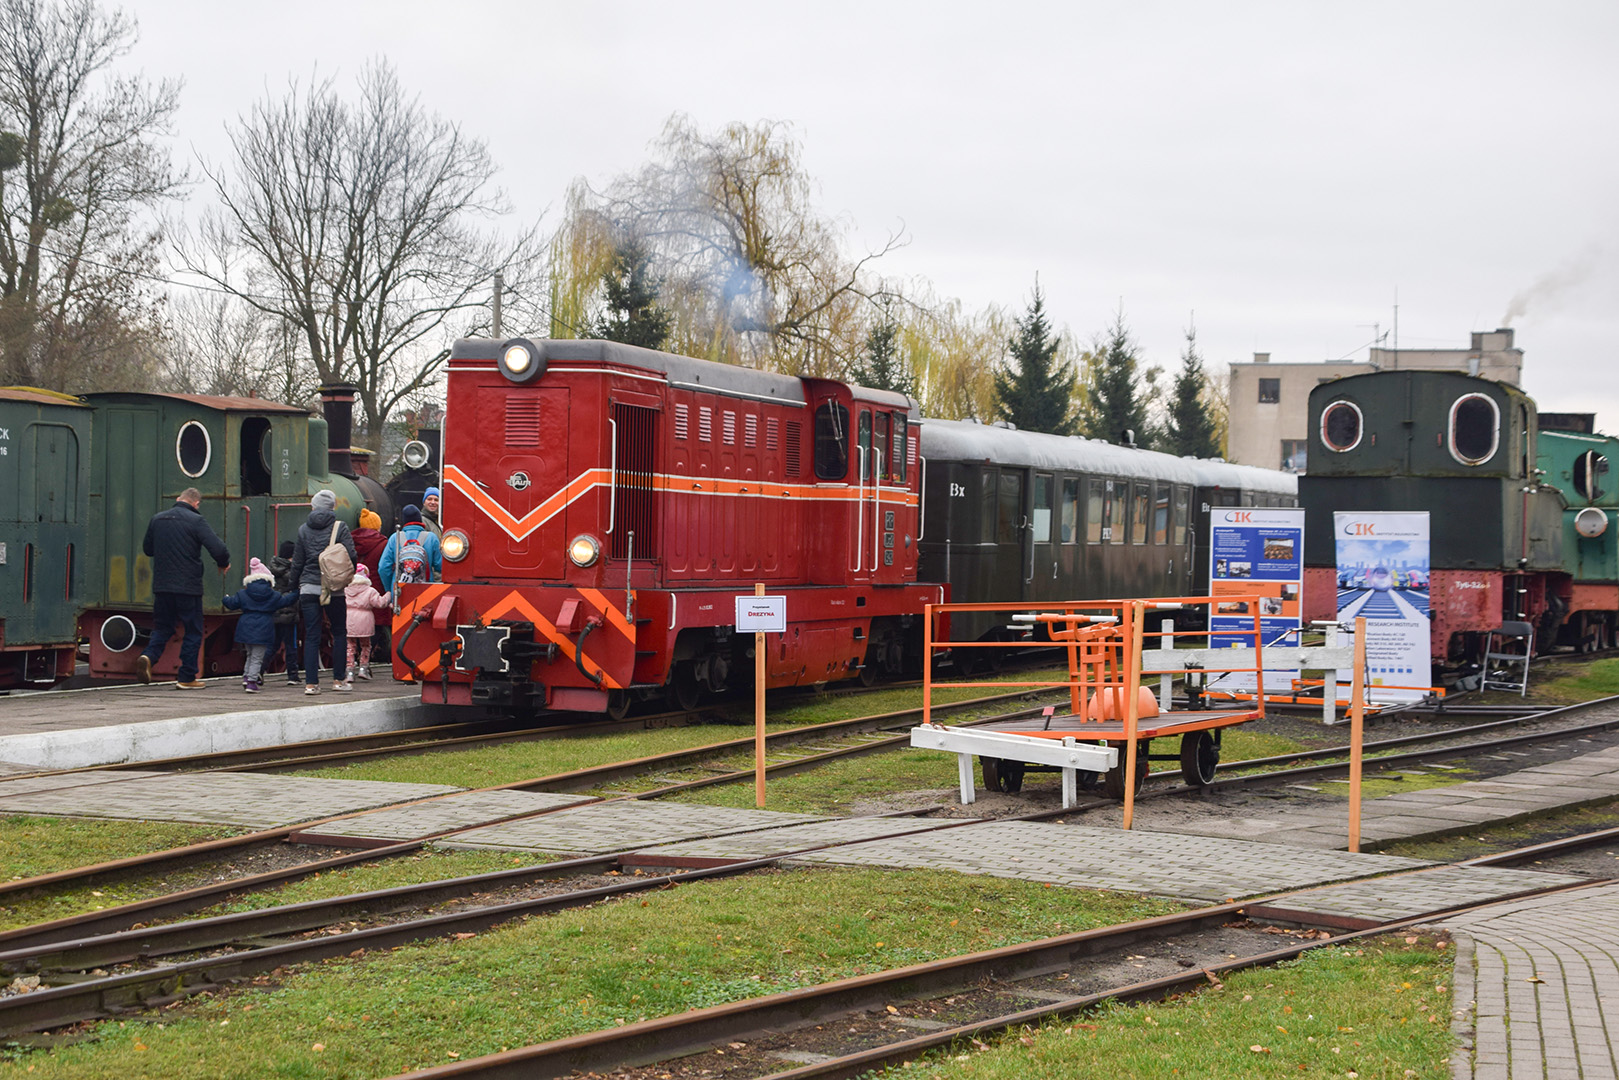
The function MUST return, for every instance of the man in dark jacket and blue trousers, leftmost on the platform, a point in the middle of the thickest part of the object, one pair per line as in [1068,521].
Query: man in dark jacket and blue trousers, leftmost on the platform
[174,542]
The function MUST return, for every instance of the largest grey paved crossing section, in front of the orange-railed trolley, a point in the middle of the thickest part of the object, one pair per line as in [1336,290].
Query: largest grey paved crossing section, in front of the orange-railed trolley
[1162,864]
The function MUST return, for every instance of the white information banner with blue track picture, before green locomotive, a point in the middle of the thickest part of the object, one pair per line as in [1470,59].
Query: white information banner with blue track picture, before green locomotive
[1383,577]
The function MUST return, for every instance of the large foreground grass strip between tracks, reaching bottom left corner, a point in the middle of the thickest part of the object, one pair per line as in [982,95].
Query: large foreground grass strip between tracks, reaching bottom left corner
[545,979]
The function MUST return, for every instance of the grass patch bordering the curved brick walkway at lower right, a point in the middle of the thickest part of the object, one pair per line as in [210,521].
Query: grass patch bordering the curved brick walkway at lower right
[1380,1010]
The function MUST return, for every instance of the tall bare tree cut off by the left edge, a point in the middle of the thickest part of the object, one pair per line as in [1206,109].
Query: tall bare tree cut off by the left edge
[82,168]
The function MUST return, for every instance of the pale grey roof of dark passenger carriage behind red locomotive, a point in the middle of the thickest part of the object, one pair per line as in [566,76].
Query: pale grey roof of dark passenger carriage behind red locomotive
[962,441]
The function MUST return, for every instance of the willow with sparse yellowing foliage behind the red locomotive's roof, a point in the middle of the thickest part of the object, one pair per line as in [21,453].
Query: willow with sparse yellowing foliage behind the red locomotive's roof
[750,271]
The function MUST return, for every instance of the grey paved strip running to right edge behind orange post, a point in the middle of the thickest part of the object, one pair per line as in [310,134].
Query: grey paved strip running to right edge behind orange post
[1568,784]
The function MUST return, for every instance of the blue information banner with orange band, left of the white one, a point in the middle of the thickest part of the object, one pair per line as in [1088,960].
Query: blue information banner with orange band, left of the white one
[1257,558]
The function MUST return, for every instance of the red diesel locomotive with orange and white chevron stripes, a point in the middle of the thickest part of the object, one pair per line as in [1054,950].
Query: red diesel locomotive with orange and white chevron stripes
[606,504]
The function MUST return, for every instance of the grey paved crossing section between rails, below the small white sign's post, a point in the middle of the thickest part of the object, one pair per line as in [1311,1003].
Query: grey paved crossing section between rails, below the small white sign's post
[623,827]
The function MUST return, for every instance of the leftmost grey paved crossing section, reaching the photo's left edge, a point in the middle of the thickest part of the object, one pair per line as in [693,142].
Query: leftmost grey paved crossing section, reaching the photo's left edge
[239,799]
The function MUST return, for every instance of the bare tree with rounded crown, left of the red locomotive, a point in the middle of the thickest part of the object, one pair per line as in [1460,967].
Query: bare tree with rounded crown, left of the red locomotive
[357,227]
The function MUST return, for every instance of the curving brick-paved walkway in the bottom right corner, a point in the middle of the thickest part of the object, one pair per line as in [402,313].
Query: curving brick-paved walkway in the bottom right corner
[1537,989]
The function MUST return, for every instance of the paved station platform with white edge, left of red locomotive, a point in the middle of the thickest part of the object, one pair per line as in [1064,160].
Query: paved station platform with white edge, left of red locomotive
[74,729]
